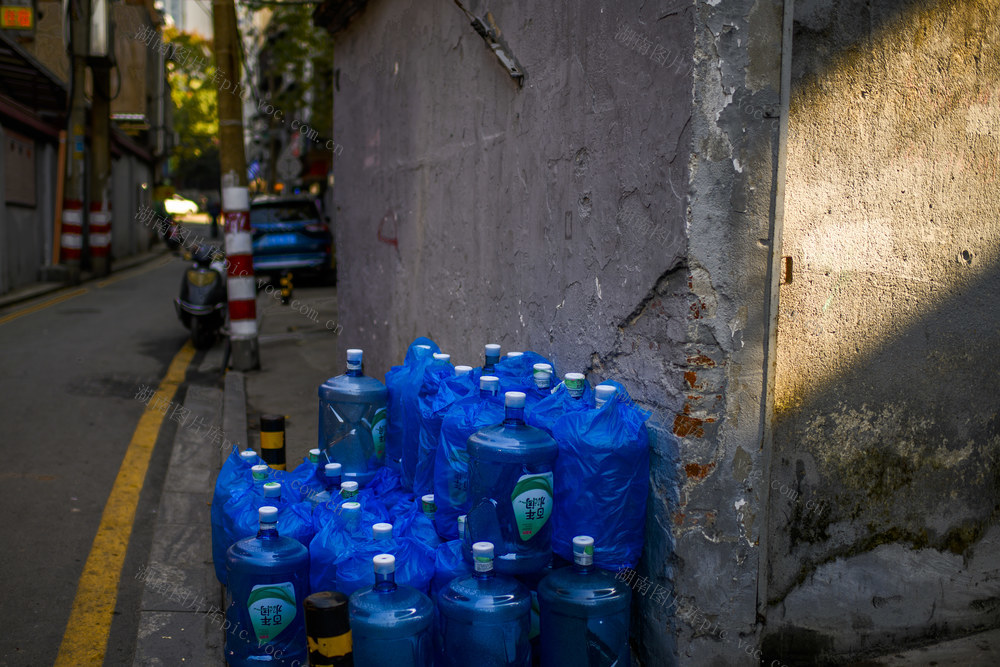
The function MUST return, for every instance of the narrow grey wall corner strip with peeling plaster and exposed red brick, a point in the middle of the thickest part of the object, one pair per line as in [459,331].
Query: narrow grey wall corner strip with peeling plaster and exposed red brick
[733,169]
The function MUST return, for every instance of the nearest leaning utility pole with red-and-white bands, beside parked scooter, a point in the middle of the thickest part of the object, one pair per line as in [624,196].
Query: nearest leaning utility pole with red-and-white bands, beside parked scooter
[244,347]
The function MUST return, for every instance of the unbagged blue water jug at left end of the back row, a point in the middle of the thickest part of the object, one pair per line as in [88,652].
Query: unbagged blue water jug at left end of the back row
[352,421]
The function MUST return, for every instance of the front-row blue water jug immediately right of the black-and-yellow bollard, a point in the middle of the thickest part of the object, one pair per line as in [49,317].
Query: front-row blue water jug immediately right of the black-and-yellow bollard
[390,623]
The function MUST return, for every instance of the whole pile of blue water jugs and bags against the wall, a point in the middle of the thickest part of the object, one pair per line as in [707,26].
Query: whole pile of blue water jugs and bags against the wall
[473,516]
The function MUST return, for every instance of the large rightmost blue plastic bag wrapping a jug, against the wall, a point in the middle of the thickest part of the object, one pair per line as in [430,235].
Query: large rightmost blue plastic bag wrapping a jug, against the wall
[601,481]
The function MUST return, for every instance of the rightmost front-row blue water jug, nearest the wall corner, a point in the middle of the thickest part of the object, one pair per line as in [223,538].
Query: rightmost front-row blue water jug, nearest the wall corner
[584,614]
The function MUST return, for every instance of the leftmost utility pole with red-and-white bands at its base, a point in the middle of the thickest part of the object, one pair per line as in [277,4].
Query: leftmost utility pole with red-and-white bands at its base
[72,215]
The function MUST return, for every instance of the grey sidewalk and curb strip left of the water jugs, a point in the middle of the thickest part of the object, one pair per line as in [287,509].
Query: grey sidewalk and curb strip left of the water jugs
[182,607]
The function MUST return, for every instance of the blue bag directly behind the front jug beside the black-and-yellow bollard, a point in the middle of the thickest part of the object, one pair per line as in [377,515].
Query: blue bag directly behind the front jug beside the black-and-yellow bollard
[414,563]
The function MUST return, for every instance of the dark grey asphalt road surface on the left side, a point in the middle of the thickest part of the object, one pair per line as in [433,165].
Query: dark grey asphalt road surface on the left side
[70,374]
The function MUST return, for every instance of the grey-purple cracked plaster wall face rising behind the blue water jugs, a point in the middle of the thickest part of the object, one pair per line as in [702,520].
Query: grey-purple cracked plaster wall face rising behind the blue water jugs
[549,218]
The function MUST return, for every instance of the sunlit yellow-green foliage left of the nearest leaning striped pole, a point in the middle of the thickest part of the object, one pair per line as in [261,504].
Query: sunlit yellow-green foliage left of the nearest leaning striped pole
[196,114]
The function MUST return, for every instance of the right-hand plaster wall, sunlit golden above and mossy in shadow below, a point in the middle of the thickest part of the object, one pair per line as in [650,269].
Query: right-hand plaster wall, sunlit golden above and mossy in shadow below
[887,397]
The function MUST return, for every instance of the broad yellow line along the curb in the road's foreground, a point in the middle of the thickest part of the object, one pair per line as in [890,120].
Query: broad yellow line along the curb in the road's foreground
[86,638]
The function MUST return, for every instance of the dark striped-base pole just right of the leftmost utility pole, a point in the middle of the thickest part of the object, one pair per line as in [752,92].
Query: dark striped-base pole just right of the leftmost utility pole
[99,222]
